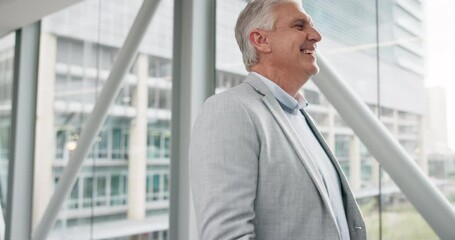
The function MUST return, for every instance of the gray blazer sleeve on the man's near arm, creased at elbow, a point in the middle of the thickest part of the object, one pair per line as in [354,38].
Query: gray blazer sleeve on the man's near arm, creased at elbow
[223,157]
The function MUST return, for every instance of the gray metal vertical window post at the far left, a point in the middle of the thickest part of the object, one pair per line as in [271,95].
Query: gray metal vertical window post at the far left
[20,184]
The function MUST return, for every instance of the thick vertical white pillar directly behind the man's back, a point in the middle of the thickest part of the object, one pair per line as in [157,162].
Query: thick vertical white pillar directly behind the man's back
[193,81]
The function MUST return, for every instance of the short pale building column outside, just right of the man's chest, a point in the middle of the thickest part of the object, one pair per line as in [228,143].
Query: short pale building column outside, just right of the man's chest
[354,163]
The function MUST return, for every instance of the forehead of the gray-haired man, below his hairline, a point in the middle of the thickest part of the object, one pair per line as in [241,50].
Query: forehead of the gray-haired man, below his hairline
[290,12]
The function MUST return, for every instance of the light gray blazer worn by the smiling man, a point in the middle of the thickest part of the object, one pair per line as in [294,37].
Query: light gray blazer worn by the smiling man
[251,176]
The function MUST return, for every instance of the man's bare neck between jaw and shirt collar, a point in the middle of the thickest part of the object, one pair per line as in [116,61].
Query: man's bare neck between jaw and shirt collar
[289,82]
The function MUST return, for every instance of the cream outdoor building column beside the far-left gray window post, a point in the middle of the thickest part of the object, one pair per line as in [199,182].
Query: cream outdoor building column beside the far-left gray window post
[45,146]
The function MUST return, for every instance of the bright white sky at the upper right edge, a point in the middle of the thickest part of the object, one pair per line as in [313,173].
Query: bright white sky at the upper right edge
[440,41]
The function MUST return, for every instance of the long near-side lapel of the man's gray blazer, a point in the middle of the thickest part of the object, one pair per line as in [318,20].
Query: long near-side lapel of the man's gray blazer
[303,154]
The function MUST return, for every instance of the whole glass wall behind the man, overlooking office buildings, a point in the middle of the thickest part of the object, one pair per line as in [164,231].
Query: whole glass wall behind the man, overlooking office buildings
[122,191]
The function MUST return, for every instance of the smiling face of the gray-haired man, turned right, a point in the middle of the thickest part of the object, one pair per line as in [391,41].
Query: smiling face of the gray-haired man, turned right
[293,42]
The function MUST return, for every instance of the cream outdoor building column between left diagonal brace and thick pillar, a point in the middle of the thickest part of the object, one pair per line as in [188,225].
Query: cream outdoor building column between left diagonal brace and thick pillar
[137,168]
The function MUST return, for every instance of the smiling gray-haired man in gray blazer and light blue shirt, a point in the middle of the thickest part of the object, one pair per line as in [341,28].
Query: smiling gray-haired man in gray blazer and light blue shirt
[259,168]
